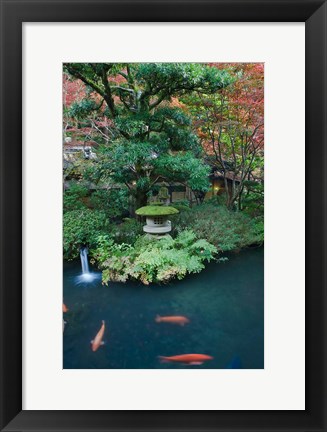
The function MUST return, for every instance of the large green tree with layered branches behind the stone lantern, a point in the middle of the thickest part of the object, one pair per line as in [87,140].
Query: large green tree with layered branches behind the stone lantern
[146,137]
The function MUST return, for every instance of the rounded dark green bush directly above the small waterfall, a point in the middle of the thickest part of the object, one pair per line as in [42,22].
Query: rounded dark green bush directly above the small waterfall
[82,227]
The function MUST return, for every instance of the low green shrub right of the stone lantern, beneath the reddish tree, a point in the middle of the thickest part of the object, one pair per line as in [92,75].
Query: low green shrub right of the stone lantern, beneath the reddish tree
[226,229]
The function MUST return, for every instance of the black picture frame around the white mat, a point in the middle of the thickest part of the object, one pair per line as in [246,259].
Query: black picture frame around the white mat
[13,14]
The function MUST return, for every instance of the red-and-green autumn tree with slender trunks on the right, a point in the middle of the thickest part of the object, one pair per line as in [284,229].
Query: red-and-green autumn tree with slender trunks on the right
[231,127]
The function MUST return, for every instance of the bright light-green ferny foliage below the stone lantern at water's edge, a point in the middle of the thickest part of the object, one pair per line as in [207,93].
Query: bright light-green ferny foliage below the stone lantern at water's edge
[153,260]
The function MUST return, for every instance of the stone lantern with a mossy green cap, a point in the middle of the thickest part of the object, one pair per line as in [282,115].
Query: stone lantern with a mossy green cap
[156,218]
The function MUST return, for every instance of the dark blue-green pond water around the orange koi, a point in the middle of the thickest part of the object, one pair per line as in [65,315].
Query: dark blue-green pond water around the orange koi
[225,305]
